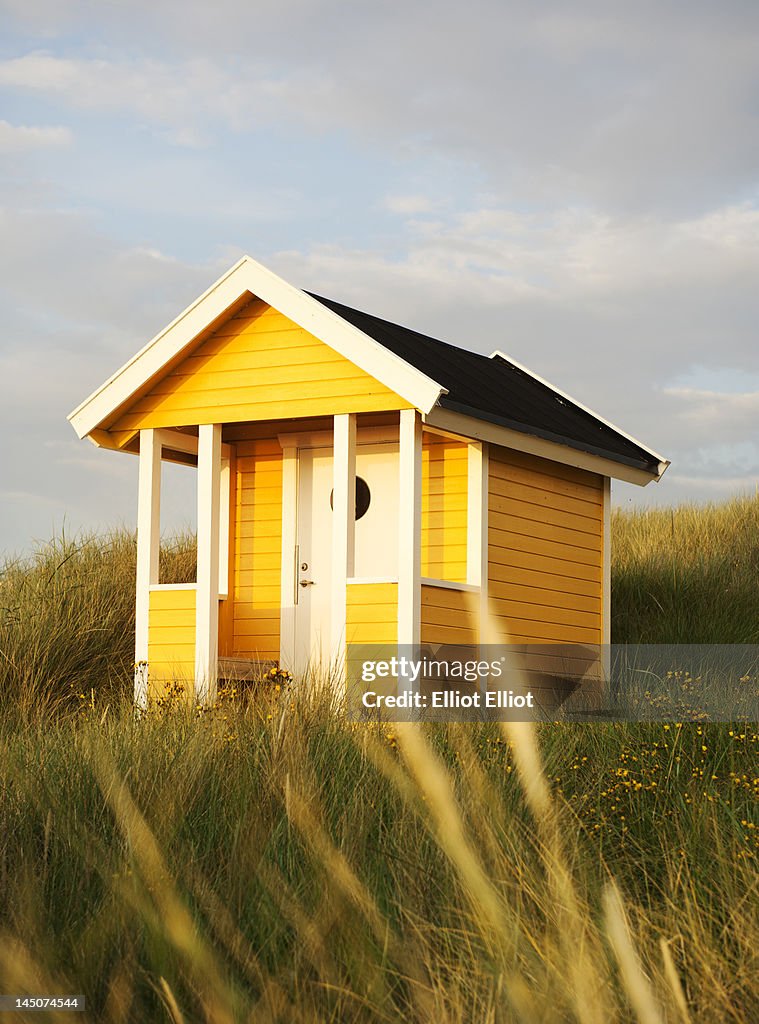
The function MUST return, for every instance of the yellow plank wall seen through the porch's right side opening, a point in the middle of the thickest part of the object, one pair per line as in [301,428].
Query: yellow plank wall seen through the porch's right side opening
[445,489]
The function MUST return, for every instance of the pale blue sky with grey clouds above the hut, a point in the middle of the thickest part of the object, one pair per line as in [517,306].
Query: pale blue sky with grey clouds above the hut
[575,185]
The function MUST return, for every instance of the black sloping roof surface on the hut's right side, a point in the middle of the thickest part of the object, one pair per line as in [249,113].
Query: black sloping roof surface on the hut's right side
[502,392]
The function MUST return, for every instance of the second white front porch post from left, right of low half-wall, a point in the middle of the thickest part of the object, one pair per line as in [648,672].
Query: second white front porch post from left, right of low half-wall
[207,607]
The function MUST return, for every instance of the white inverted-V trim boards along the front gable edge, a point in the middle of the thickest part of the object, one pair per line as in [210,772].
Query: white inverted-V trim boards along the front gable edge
[248,276]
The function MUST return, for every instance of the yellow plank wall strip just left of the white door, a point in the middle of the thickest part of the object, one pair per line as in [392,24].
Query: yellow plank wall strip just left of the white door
[258,533]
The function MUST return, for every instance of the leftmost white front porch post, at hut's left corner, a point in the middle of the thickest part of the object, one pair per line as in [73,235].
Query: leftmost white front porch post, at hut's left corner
[149,540]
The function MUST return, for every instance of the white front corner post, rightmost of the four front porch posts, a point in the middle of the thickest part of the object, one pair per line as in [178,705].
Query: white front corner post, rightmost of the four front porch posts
[410,528]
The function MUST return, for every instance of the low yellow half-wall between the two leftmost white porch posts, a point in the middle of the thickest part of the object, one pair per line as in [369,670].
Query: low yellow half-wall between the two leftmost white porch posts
[172,641]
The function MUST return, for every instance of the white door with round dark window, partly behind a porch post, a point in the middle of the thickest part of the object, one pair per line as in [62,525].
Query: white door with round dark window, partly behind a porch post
[376,540]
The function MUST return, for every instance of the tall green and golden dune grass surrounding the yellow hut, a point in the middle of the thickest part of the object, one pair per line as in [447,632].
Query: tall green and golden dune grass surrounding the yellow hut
[267,862]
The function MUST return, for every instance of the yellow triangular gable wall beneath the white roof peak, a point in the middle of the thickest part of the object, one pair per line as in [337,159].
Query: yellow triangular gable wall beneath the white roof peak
[258,366]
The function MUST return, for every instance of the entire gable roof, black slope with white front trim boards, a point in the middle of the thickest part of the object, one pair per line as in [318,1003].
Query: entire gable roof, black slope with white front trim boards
[426,372]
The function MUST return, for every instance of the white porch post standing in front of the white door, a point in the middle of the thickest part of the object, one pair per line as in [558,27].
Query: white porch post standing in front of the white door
[344,531]
